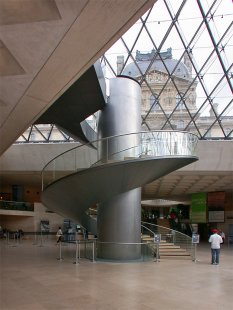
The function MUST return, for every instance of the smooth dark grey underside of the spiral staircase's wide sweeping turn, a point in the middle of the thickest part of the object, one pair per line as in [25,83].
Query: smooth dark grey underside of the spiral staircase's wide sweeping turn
[72,195]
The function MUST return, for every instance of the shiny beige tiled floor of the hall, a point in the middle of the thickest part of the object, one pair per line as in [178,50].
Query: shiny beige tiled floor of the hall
[32,278]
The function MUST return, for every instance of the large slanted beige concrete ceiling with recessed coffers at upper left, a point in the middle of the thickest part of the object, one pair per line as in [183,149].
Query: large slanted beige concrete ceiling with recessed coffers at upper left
[46,45]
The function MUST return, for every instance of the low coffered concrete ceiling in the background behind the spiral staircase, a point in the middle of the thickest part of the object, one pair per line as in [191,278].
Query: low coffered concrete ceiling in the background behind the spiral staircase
[176,186]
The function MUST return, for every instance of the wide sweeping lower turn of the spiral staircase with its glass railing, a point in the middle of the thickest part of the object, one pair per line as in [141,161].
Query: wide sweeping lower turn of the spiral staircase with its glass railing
[77,179]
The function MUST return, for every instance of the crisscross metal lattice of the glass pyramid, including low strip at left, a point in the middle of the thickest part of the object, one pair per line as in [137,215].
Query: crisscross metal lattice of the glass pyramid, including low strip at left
[188,27]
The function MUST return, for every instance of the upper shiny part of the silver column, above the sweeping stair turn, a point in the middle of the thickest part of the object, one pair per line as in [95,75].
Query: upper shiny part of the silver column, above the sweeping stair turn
[120,116]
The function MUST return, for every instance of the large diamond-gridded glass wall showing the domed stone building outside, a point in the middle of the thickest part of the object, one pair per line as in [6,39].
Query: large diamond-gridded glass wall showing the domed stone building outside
[181,64]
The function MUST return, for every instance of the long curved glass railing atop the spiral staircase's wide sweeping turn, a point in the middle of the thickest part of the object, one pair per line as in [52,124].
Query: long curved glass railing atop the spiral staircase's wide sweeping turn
[129,147]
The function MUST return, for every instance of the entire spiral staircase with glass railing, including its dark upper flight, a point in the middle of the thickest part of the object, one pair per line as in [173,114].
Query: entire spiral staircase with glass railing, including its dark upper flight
[90,174]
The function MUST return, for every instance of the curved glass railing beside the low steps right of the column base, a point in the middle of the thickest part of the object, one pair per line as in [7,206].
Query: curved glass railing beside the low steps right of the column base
[167,235]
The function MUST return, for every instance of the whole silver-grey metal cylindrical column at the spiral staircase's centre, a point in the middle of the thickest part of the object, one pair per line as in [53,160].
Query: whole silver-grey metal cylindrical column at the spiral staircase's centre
[119,219]
